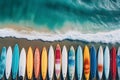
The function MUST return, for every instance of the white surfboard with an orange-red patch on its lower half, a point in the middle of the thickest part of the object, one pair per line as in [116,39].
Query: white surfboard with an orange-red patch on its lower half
[100,62]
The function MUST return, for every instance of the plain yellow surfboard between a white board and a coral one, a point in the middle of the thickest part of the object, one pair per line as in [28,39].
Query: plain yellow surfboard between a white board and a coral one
[29,63]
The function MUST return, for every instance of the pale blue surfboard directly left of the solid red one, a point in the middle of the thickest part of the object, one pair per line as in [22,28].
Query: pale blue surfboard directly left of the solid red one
[106,62]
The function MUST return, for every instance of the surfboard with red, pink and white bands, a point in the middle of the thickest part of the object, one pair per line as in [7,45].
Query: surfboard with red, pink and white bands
[58,61]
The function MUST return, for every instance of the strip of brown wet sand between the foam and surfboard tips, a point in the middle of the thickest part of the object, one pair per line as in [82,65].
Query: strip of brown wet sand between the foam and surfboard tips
[9,41]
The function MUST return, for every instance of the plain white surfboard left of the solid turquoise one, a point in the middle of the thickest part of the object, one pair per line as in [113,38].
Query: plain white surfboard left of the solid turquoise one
[8,62]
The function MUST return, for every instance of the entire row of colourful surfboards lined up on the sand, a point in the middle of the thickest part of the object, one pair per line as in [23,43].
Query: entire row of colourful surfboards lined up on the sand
[86,61]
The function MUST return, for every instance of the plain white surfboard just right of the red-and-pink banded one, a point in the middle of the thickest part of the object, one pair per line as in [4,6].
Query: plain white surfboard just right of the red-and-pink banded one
[64,62]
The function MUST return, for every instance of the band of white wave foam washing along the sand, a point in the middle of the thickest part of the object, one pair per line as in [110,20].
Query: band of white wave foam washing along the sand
[105,37]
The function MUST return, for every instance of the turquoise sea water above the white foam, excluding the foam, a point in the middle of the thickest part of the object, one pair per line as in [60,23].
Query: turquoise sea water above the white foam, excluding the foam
[84,15]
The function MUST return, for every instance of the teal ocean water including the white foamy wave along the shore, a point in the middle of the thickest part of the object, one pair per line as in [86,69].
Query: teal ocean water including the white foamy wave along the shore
[50,20]
